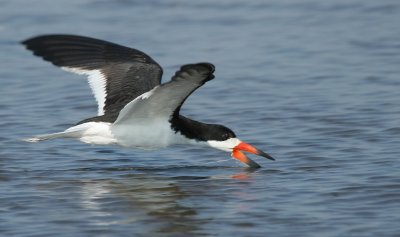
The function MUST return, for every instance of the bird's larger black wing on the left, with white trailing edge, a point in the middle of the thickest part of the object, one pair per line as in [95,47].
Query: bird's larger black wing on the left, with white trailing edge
[116,74]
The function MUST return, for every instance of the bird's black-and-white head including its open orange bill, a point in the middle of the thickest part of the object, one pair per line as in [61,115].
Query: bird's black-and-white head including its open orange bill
[226,140]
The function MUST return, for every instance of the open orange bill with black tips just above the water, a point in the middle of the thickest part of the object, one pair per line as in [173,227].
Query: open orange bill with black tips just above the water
[239,155]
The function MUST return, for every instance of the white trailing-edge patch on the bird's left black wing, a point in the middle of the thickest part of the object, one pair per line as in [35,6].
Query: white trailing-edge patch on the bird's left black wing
[97,82]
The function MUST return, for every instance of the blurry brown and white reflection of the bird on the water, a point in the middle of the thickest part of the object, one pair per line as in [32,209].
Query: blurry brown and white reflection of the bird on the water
[156,202]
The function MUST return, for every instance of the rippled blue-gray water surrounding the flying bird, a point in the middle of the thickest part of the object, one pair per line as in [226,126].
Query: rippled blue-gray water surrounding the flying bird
[314,83]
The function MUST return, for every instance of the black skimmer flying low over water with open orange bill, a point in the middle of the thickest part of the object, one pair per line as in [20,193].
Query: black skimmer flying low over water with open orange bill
[134,109]
